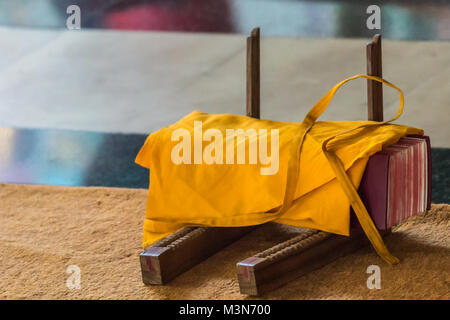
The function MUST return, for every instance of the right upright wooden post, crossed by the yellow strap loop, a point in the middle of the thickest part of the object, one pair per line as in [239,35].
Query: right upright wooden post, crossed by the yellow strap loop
[374,89]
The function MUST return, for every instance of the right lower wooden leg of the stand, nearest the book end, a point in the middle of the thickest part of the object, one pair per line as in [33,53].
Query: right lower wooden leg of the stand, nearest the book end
[293,258]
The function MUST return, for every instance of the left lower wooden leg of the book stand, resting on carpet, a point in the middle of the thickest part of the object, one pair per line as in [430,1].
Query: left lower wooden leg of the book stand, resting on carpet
[180,251]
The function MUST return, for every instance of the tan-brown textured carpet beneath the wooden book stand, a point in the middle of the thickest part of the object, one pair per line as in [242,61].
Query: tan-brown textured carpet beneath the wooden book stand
[44,229]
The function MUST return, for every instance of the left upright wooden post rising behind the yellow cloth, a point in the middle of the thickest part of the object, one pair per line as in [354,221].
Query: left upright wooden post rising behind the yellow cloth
[253,74]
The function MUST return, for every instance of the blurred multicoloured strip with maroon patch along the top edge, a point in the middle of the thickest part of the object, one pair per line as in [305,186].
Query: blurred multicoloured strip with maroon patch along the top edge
[401,19]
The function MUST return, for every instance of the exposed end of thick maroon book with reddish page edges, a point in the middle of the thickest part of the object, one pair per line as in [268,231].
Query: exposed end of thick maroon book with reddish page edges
[397,182]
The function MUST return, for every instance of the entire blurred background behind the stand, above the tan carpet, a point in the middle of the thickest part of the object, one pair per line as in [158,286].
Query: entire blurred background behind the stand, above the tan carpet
[76,105]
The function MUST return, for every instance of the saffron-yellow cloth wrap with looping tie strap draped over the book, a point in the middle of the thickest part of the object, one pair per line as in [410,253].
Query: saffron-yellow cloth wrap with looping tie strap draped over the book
[321,164]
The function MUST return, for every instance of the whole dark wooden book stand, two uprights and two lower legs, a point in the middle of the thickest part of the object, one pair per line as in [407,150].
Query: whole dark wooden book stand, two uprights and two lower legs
[266,270]
